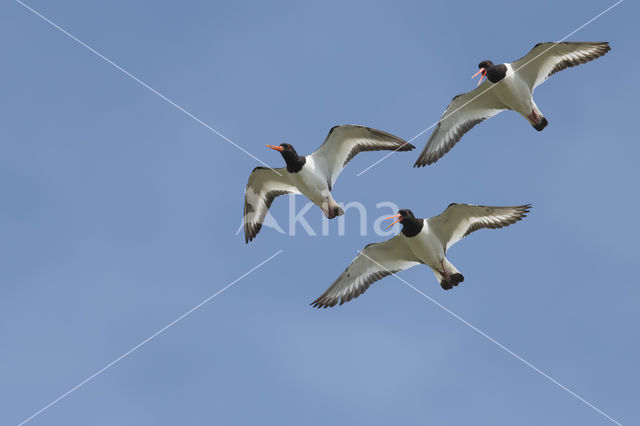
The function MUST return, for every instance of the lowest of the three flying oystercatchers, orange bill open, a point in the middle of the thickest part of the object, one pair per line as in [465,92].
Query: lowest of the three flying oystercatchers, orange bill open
[421,241]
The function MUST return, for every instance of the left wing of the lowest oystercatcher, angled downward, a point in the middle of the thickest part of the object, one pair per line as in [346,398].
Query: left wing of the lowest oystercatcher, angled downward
[374,262]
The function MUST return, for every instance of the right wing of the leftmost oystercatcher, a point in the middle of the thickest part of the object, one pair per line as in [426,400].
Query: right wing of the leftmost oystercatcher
[344,142]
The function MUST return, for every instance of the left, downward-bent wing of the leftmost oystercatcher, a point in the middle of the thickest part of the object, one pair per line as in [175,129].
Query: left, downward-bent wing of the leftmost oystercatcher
[264,186]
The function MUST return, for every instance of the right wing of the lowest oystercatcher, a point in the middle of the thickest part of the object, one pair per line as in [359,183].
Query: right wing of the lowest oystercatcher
[459,220]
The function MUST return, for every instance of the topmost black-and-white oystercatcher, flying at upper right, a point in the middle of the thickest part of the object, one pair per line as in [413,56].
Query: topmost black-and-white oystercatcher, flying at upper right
[509,86]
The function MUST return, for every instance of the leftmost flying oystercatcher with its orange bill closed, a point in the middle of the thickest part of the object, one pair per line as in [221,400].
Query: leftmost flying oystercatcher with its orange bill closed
[311,175]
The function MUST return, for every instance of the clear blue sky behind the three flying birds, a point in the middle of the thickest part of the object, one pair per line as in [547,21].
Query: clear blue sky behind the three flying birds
[119,213]
